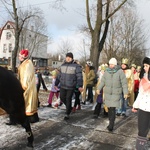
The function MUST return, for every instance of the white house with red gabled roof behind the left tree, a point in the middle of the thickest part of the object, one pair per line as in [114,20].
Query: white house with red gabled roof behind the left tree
[35,42]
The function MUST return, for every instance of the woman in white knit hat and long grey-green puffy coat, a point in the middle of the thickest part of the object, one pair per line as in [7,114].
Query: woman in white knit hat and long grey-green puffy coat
[113,83]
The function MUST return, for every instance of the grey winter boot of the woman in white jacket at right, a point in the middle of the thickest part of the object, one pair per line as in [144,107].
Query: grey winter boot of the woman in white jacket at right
[141,143]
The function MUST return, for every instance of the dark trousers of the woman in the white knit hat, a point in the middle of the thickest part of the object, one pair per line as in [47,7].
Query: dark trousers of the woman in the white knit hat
[111,116]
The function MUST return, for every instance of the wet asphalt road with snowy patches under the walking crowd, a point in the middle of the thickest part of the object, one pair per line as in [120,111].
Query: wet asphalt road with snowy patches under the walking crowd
[80,132]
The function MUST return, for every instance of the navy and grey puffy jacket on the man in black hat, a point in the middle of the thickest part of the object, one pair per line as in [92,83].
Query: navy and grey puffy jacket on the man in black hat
[70,76]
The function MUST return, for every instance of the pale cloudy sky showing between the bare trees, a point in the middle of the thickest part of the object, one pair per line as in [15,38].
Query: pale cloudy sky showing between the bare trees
[63,24]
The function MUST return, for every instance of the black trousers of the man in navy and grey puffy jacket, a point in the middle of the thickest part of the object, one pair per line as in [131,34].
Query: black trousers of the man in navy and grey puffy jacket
[66,98]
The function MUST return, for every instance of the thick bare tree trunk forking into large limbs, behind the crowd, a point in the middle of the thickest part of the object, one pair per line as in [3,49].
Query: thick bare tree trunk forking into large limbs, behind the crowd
[98,31]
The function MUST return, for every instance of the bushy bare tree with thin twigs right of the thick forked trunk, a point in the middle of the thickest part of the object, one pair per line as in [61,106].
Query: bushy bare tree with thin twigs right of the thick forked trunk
[125,38]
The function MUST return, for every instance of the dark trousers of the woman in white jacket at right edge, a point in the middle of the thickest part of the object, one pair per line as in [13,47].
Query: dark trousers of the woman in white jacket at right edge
[143,123]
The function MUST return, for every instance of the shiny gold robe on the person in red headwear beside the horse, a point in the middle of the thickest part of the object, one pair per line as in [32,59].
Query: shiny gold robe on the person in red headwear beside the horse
[27,78]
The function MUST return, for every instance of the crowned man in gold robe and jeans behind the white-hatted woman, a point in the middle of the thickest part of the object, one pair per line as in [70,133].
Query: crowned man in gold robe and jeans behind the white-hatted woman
[130,80]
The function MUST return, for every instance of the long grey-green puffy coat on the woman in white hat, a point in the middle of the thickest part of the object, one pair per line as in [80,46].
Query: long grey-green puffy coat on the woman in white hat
[115,83]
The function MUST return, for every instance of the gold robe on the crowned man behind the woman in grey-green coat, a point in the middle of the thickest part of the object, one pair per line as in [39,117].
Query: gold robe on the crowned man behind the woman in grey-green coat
[130,80]
